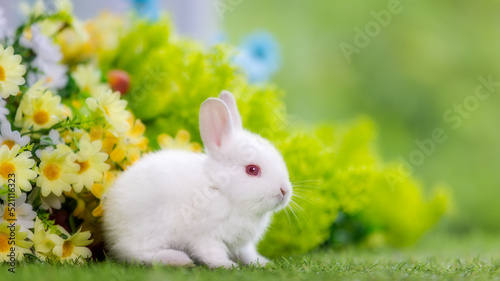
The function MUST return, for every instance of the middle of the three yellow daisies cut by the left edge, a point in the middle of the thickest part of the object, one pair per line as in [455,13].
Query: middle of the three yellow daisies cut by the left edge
[20,165]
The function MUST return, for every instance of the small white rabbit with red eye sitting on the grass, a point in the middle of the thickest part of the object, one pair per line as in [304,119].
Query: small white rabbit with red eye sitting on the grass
[173,206]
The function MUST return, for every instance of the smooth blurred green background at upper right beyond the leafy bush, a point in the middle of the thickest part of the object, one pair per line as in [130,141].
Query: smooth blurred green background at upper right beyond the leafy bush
[421,64]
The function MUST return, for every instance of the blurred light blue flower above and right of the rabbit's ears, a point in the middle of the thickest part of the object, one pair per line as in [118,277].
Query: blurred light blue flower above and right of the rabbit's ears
[259,56]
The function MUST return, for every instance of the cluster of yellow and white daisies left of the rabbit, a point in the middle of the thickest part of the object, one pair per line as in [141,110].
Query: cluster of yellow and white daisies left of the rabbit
[65,136]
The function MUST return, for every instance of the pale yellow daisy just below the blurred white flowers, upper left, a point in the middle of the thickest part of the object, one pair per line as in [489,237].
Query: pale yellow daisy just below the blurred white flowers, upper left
[39,111]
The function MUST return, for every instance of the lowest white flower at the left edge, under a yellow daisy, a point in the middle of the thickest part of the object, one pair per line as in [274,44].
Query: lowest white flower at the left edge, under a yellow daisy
[24,214]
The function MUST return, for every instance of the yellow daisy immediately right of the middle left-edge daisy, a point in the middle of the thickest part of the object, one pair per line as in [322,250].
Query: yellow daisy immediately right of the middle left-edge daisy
[57,171]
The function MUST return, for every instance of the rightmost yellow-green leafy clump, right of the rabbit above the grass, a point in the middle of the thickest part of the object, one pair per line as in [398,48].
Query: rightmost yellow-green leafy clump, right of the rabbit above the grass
[399,210]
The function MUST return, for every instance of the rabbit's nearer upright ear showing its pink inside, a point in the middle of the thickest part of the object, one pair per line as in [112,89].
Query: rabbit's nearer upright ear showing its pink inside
[215,123]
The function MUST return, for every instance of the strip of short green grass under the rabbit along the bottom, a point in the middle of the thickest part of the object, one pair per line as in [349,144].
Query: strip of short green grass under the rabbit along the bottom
[474,257]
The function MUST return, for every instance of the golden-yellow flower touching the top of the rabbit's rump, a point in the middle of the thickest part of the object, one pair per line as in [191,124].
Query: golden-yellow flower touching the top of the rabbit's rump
[128,148]
